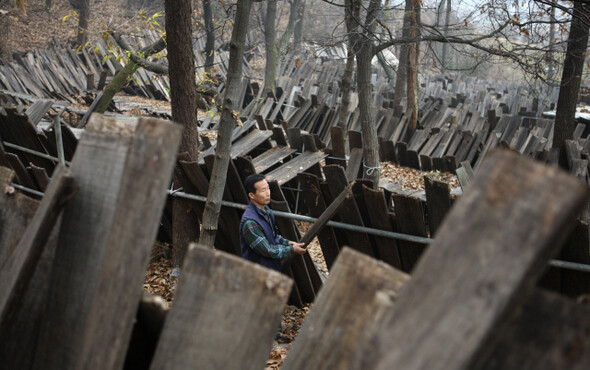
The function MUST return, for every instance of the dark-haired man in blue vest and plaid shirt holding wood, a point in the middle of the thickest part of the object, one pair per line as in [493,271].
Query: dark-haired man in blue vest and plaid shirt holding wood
[260,241]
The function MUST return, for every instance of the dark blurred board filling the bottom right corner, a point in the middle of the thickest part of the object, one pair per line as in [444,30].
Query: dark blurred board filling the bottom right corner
[549,332]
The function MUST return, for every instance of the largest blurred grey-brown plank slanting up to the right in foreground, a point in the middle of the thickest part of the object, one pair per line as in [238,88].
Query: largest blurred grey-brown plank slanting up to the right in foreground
[445,316]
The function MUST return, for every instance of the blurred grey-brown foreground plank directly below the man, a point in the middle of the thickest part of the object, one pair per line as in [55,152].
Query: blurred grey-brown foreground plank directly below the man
[215,293]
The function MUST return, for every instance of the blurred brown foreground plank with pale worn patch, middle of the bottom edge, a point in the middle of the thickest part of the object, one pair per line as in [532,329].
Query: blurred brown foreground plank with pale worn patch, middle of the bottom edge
[356,294]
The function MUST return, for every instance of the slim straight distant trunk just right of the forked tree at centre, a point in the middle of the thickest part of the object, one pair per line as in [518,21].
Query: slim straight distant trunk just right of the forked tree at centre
[413,69]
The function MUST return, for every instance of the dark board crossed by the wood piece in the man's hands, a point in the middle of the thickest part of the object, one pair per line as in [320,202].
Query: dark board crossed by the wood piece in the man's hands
[312,195]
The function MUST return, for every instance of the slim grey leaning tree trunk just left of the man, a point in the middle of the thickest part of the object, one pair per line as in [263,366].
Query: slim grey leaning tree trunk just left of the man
[226,125]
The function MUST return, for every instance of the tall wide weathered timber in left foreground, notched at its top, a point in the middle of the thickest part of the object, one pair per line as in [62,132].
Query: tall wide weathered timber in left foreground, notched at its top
[106,236]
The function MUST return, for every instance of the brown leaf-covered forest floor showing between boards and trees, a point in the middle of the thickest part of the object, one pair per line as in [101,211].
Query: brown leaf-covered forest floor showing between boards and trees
[40,28]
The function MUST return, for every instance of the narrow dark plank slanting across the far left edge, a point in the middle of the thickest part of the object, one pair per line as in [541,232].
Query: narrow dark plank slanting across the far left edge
[17,269]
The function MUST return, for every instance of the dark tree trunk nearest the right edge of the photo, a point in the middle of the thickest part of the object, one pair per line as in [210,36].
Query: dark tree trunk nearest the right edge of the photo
[573,66]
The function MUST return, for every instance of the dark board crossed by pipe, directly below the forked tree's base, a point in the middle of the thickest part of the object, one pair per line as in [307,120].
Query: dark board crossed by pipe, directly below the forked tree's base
[387,249]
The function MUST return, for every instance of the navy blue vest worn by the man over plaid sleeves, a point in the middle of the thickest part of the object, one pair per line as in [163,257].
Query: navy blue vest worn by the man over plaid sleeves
[269,231]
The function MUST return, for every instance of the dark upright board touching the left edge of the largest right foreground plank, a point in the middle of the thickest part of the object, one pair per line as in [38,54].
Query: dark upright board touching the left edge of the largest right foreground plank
[438,202]
